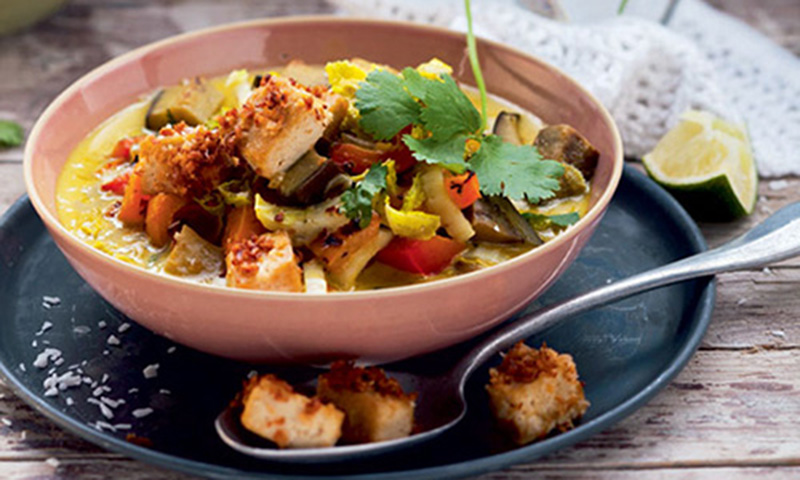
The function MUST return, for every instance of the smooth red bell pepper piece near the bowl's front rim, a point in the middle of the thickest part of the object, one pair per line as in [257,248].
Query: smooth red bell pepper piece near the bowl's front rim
[426,257]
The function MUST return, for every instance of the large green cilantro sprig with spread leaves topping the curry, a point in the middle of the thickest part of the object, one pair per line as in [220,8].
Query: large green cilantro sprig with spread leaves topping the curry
[447,121]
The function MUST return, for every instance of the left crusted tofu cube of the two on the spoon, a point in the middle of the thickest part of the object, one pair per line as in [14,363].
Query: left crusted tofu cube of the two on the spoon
[273,410]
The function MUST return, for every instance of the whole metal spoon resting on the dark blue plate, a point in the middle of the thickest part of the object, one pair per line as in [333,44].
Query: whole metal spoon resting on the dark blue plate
[441,403]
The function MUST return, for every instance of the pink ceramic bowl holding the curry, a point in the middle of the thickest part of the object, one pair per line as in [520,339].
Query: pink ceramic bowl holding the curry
[375,326]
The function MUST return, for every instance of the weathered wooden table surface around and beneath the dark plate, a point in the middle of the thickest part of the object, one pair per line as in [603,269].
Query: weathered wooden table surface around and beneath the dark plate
[734,412]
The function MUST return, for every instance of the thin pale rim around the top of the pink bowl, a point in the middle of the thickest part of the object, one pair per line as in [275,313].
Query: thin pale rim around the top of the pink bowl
[59,230]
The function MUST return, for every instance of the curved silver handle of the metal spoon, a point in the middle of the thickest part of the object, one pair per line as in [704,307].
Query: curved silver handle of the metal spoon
[775,239]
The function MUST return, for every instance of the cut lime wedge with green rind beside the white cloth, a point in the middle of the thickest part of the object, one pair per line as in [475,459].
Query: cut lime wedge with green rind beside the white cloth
[707,164]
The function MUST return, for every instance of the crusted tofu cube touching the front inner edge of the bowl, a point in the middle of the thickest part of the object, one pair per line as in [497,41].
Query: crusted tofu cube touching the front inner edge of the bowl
[266,262]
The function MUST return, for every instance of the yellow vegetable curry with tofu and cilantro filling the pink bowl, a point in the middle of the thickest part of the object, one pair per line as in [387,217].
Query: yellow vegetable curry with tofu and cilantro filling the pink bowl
[326,178]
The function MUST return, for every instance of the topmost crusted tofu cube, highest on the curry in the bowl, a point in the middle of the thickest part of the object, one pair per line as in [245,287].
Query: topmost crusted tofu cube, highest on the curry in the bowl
[280,122]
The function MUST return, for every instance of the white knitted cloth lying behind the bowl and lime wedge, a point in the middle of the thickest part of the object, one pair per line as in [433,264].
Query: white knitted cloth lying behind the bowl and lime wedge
[647,74]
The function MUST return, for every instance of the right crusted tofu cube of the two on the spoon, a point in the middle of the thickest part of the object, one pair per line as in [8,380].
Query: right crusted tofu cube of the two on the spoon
[375,406]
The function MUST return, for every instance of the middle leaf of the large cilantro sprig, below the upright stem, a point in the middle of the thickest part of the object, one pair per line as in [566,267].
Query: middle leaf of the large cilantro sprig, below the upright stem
[447,111]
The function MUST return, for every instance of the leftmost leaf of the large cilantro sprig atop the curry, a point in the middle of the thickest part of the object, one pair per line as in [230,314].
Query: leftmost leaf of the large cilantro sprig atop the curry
[385,105]
